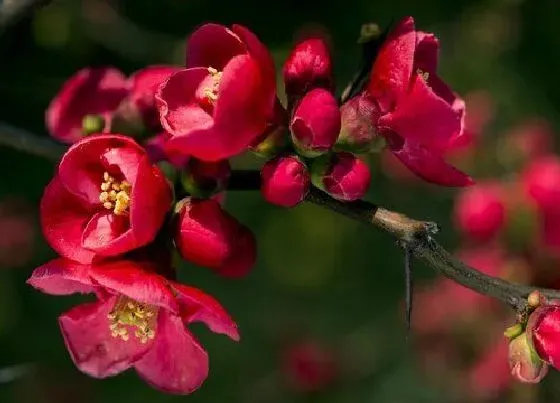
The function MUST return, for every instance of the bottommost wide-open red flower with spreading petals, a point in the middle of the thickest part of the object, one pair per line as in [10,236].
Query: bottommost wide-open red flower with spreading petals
[138,321]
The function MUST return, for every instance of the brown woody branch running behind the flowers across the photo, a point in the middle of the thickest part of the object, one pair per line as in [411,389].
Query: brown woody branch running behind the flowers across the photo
[417,236]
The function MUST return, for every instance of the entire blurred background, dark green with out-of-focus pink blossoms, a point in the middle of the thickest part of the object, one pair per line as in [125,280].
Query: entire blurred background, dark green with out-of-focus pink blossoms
[321,316]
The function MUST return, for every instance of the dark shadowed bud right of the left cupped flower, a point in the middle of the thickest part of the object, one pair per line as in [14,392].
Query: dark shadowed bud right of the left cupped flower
[202,179]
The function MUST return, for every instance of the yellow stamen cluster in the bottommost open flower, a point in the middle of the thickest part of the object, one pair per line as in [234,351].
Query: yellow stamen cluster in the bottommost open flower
[129,313]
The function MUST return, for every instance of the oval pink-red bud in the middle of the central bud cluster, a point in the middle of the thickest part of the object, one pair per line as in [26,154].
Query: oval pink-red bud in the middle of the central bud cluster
[316,123]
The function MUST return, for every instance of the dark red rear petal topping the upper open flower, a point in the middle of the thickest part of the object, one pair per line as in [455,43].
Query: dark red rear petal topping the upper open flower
[213,45]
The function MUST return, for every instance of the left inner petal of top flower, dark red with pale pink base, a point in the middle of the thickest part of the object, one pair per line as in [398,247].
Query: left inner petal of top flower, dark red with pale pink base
[179,111]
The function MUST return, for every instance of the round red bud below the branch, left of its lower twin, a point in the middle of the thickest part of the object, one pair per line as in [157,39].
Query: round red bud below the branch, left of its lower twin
[285,181]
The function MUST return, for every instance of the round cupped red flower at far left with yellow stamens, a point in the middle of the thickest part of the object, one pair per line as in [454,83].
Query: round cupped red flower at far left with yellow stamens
[105,199]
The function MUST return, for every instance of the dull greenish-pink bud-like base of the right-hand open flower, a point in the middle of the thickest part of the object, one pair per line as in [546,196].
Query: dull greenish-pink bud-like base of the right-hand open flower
[358,134]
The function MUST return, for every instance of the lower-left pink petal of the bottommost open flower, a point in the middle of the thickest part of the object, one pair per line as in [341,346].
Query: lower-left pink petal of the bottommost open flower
[95,352]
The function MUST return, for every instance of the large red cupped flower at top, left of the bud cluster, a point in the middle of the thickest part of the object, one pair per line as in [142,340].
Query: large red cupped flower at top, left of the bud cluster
[225,98]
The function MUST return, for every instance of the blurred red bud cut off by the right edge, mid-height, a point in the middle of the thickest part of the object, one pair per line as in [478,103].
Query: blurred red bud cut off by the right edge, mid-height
[541,181]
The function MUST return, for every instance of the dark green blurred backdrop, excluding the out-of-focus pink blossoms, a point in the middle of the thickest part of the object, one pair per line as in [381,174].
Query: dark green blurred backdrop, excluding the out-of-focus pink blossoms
[319,275]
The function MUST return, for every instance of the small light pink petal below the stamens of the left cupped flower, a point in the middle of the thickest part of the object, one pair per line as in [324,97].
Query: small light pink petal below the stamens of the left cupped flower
[108,234]
